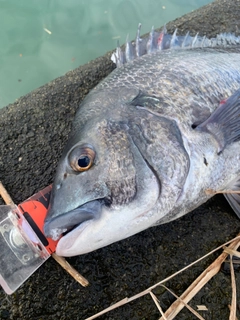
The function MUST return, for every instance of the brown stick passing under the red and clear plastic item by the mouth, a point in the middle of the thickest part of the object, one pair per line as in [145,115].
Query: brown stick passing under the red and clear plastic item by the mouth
[62,261]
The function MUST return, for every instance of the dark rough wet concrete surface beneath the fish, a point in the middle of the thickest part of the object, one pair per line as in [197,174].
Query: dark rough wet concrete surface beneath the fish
[33,132]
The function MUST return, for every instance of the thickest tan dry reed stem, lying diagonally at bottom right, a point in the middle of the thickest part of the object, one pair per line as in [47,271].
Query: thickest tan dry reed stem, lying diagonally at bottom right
[196,286]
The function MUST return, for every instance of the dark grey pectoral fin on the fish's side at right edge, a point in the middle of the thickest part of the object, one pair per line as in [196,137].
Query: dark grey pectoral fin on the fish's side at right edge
[224,122]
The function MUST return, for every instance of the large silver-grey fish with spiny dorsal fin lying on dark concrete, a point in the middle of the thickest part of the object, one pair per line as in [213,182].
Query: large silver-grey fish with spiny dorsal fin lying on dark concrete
[149,141]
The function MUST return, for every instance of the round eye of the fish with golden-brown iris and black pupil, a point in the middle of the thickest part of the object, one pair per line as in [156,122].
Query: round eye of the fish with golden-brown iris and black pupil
[81,158]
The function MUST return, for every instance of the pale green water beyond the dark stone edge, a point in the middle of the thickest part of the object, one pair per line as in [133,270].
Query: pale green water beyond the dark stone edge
[43,39]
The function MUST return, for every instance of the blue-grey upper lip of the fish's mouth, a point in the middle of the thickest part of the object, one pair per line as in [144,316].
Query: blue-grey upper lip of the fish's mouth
[65,223]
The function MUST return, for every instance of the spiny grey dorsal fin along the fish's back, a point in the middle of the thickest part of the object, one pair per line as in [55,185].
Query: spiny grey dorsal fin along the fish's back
[157,41]
